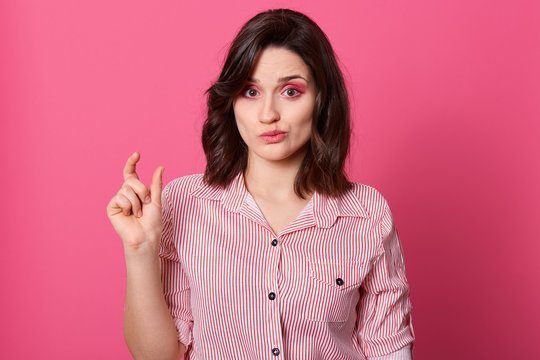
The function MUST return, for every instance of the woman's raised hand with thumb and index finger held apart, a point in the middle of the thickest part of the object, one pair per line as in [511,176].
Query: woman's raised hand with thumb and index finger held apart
[135,211]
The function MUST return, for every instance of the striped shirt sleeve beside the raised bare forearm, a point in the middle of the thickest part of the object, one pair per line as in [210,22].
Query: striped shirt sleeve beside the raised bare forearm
[174,280]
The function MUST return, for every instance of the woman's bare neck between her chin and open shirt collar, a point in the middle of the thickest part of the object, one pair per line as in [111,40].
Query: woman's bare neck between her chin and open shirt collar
[272,179]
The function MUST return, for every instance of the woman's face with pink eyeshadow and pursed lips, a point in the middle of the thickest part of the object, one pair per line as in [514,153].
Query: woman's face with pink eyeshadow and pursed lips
[274,111]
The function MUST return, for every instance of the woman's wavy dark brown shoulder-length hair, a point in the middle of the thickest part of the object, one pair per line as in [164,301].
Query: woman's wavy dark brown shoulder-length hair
[226,153]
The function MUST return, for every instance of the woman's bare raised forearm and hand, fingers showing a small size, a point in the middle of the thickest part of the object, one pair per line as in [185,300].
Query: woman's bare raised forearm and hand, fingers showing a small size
[135,213]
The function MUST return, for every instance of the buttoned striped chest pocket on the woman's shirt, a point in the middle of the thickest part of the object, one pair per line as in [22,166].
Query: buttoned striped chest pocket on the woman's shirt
[333,289]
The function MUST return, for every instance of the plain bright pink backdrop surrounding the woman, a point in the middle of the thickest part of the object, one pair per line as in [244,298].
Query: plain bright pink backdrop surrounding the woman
[446,112]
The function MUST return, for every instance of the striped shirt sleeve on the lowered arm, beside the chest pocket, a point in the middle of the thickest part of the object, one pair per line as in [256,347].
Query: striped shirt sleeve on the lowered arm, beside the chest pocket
[384,328]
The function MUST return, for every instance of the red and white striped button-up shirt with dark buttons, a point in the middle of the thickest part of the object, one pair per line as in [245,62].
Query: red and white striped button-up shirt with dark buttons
[331,285]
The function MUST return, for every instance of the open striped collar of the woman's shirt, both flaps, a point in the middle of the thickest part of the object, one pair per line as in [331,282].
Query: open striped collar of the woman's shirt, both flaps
[326,209]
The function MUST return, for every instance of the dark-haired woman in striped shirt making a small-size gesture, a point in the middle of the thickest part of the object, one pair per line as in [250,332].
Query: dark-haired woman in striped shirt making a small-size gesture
[272,252]
